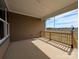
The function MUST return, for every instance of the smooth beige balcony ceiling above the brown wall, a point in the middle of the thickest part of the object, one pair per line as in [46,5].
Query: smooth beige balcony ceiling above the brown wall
[37,8]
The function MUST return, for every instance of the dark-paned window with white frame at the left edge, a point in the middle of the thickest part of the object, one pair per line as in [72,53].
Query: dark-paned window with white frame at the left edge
[4,26]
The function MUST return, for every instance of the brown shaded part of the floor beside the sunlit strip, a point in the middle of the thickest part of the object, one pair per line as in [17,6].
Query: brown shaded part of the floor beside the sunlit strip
[24,50]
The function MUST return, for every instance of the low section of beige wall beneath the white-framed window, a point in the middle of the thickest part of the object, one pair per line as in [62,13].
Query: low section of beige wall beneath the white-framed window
[3,48]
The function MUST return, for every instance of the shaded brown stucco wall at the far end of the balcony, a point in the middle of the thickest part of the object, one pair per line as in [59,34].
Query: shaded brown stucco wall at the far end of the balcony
[24,27]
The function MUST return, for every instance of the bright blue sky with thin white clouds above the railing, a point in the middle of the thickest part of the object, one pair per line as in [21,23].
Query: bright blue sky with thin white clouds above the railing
[66,20]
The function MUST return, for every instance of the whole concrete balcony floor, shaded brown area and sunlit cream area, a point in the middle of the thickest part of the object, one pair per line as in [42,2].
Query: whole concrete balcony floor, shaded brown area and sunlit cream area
[36,49]
